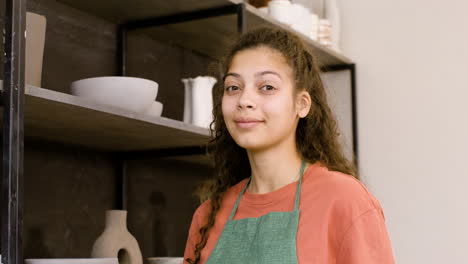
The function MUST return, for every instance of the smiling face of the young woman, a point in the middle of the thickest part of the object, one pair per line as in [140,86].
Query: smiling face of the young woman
[258,106]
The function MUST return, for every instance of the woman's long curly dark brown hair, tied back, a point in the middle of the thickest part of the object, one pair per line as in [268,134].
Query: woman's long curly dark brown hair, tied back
[316,134]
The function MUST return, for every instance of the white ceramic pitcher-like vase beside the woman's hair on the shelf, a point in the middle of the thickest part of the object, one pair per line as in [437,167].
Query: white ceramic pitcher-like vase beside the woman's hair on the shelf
[198,102]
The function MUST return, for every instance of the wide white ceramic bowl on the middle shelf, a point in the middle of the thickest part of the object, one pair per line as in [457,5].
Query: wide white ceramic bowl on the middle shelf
[130,93]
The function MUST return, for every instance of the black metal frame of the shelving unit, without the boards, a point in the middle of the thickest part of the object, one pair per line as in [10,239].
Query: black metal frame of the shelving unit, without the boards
[13,103]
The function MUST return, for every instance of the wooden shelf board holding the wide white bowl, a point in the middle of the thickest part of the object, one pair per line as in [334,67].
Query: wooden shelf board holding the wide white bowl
[70,119]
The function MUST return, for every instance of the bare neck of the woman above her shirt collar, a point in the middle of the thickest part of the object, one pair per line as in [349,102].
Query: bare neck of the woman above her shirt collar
[273,168]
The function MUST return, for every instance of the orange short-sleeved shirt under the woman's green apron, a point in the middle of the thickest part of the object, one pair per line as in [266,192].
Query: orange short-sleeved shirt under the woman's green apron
[340,222]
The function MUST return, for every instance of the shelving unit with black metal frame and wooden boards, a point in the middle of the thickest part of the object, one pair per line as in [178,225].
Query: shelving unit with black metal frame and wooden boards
[48,115]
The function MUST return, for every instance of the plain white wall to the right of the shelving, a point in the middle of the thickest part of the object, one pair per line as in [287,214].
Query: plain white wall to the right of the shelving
[412,92]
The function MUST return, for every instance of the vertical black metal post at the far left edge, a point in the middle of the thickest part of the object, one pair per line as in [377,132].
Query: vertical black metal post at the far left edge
[13,137]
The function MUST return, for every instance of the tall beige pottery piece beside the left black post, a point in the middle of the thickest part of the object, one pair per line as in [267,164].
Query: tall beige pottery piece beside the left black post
[35,40]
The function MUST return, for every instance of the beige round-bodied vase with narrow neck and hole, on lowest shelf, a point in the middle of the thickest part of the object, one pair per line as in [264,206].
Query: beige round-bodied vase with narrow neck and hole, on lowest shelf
[116,241]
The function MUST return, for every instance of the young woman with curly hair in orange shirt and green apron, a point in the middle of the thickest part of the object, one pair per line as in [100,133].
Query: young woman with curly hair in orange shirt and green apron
[283,191]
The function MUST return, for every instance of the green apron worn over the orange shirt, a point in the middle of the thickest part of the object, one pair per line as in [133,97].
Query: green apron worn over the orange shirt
[268,239]
